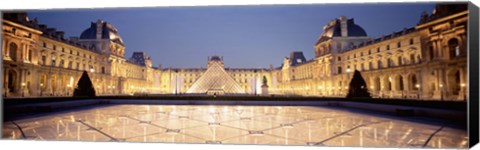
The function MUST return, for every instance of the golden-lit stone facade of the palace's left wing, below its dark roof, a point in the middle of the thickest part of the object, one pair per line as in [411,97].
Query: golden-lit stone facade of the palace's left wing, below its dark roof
[39,61]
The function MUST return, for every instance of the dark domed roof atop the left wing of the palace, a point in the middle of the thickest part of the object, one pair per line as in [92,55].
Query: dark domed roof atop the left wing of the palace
[108,31]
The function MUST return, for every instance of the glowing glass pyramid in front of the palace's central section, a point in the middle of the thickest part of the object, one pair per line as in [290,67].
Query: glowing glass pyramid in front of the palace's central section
[217,80]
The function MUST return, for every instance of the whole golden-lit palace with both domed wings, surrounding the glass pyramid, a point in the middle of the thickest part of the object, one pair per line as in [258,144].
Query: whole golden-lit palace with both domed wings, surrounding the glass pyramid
[426,61]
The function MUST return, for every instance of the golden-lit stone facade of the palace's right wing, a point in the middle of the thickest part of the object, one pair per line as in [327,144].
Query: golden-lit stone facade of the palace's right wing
[427,61]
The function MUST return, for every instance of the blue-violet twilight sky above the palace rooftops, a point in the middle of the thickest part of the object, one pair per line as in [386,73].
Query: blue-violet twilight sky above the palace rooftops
[246,36]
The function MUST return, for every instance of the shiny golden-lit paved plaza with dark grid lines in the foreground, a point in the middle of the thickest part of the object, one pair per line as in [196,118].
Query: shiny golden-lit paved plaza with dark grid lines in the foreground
[266,125]
